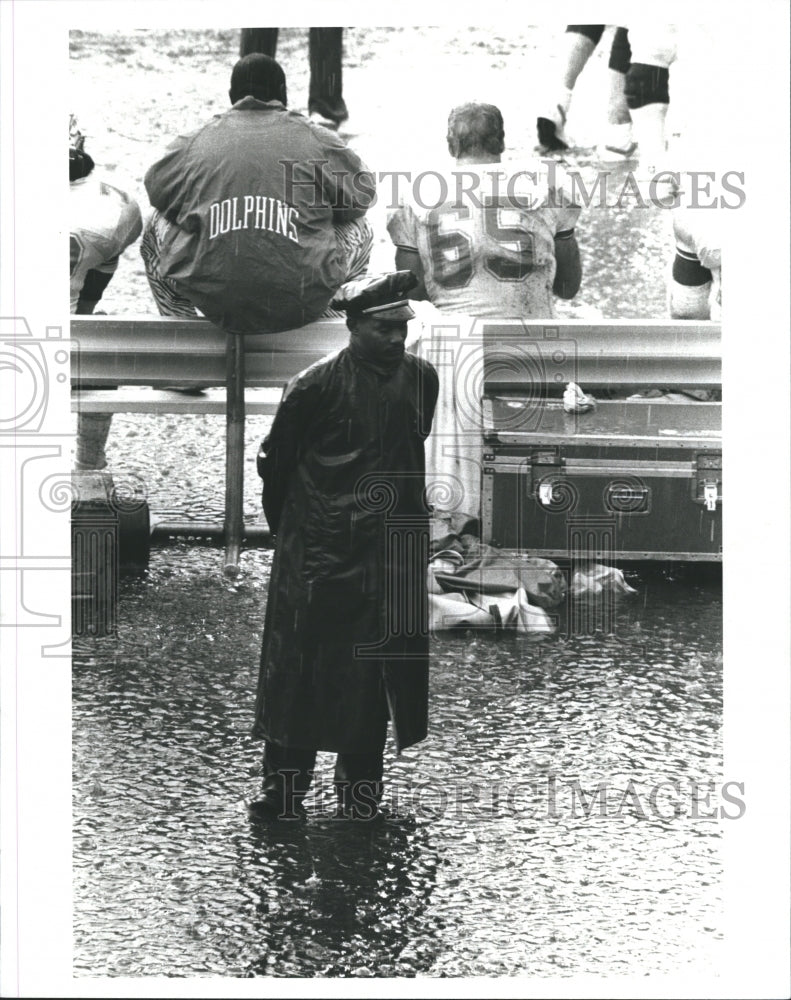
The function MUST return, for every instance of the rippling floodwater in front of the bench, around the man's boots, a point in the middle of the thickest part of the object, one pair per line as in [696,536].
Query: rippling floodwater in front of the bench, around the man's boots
[501,859]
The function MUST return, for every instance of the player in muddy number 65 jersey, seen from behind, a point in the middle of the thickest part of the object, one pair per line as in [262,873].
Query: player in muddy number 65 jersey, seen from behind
[499,240]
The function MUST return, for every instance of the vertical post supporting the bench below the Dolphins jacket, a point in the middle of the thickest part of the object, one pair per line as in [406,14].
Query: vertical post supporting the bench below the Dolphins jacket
[234,453]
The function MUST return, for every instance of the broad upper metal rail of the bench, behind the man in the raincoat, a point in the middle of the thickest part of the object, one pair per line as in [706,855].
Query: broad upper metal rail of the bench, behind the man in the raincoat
[163,351]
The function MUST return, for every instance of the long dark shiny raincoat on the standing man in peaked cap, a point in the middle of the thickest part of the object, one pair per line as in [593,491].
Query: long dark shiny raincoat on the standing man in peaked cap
[346,631]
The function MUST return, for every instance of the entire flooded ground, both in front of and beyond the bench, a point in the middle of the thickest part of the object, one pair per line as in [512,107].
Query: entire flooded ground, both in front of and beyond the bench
[500,859]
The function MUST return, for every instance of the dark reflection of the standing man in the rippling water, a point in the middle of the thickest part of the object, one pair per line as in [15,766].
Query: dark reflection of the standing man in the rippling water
[337,899]
